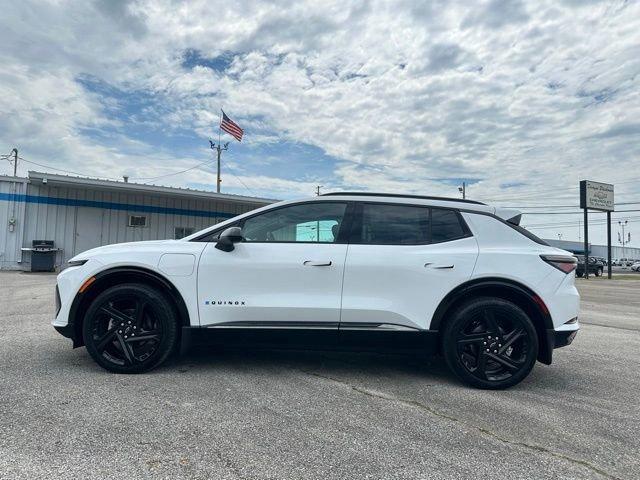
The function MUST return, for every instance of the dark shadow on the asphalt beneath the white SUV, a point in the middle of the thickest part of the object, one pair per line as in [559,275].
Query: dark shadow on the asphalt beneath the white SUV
[366,367]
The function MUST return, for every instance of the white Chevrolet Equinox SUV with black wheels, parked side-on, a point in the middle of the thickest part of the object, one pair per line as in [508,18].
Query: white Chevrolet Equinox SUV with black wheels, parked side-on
[351,270]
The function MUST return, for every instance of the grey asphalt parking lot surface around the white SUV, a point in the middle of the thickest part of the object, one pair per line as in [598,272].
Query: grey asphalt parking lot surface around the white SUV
[316,415]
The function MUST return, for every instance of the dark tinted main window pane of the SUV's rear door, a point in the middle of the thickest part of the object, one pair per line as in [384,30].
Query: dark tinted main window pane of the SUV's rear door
[394,225]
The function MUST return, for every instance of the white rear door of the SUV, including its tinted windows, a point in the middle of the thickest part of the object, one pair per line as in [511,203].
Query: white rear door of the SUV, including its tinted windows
[401,262]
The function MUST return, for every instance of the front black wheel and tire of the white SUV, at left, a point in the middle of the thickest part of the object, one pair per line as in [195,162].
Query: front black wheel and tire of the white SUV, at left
[130,328]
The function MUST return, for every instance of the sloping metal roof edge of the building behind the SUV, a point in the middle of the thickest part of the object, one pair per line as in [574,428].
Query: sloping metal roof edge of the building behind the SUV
[68,180]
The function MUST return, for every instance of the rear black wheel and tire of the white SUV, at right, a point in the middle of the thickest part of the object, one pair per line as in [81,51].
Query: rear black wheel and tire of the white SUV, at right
[471,331]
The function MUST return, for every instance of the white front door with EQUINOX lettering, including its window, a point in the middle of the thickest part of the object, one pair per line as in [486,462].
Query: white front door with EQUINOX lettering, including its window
[286,273]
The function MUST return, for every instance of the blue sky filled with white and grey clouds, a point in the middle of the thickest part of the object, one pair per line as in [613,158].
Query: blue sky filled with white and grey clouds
[519,99]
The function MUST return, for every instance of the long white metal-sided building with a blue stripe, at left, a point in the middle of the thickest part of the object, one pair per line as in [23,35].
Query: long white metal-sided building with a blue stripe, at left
[81,213]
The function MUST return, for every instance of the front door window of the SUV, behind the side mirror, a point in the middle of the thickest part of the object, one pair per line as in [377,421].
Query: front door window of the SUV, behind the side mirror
[311,222]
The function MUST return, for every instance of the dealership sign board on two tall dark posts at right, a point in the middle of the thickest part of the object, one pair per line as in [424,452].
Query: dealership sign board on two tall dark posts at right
[596,196]
